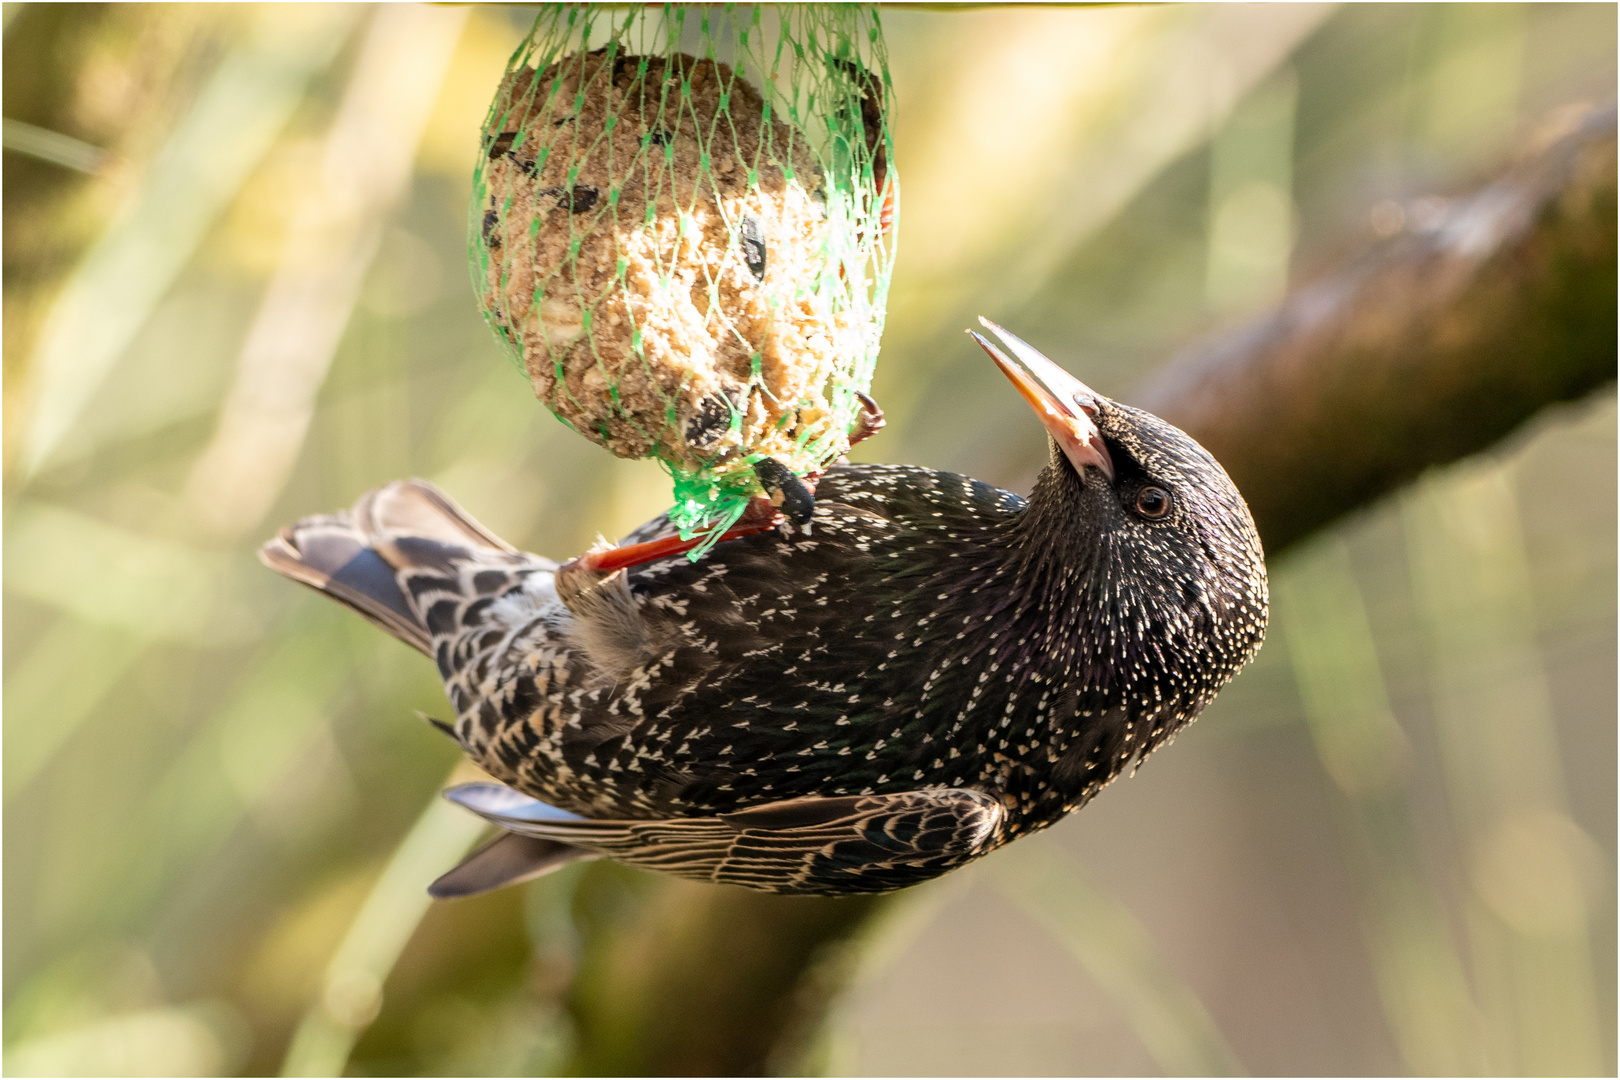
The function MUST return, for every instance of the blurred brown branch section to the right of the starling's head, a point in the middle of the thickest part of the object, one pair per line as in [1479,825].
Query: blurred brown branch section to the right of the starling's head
[1420,351]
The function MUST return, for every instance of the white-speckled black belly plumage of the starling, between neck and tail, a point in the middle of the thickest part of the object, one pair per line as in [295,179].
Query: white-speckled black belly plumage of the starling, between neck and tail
[840,663]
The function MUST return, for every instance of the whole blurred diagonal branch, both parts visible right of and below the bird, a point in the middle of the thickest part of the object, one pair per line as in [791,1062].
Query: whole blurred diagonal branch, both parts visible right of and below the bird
[1420,351]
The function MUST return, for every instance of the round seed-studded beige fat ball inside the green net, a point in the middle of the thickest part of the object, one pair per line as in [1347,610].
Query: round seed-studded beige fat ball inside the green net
[646,257]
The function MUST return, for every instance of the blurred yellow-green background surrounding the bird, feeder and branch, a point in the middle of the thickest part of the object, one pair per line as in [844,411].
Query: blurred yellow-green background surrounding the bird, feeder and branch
[236,294]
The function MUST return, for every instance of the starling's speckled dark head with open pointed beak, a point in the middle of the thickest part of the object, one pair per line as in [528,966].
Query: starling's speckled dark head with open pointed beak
[1143,521]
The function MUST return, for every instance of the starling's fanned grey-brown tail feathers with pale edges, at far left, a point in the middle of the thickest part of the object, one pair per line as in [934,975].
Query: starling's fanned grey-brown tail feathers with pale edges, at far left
[357,556]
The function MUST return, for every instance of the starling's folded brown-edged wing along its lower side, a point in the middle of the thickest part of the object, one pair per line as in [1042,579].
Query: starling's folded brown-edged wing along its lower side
[829,846]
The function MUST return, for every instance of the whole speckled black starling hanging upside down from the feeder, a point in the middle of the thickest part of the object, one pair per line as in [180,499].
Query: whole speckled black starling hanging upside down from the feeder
[926,671]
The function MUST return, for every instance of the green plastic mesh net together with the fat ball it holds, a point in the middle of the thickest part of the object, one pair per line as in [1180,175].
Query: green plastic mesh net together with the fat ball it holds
[683,232]
